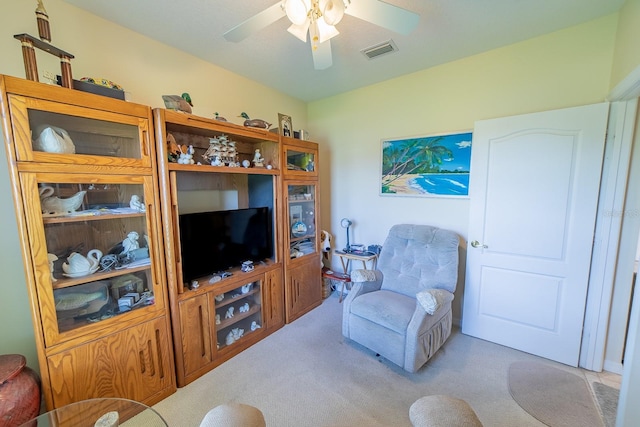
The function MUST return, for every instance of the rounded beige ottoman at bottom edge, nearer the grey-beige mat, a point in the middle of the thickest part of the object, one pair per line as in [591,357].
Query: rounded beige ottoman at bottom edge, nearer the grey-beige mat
[442,411]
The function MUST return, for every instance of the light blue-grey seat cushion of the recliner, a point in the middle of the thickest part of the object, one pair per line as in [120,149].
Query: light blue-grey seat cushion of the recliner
[386,308]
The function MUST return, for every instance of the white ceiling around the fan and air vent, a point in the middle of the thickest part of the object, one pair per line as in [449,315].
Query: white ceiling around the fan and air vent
[448,30]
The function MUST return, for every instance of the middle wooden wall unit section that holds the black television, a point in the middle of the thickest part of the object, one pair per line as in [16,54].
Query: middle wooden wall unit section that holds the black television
[200,341]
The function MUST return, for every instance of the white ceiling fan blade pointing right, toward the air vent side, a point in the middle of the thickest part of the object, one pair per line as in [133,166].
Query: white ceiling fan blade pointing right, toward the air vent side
[385,15]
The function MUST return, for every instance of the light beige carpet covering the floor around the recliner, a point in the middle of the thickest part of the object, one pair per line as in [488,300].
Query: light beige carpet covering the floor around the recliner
[308,374]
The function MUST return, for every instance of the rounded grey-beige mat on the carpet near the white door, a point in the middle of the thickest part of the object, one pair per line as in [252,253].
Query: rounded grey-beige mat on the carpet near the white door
[552,395]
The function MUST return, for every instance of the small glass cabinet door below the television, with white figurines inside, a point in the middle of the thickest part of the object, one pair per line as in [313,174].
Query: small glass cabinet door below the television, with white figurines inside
[238,313]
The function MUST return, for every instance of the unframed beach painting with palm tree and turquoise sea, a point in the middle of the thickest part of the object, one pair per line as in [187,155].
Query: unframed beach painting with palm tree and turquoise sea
[432,166]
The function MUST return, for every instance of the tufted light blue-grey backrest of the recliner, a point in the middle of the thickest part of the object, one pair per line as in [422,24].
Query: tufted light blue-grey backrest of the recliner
[419,257]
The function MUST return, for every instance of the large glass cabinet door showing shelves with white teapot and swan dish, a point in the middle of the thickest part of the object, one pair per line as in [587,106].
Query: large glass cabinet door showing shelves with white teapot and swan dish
[92,245]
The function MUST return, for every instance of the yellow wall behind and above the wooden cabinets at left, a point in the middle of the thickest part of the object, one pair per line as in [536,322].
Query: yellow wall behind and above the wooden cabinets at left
[147,70]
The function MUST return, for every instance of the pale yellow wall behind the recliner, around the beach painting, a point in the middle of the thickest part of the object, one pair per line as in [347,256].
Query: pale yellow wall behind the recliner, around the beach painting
[567,68]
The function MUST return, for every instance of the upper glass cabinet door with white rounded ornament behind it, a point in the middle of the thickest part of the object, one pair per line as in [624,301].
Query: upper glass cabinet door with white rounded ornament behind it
[51,132]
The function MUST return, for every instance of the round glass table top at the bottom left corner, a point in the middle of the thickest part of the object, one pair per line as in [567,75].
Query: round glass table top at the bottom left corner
[103,412]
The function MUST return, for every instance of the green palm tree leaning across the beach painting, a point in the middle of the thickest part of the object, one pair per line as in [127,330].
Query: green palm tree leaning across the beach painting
[416,156]
